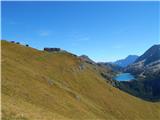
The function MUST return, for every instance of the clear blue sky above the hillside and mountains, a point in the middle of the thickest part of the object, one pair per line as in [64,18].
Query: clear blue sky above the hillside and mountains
[105,31]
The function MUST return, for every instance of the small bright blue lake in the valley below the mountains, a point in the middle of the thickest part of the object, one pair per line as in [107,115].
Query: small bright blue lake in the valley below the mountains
[124,77]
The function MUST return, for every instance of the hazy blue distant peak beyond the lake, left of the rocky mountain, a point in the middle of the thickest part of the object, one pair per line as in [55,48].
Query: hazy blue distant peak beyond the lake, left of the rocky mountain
[127,61]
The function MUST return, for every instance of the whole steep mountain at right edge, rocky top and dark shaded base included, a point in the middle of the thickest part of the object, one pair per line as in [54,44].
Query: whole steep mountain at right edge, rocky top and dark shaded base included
[147,71]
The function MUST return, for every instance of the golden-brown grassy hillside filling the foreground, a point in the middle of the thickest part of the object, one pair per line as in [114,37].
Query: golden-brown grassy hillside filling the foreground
[46,86]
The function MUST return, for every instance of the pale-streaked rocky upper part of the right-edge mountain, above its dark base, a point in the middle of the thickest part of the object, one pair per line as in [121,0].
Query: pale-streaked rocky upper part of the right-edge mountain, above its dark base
[148,63]
